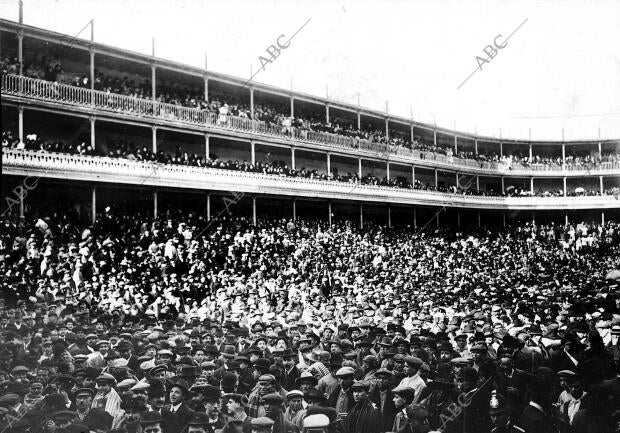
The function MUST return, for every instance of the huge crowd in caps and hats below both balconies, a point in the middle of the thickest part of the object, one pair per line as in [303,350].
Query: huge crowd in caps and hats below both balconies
[187,325]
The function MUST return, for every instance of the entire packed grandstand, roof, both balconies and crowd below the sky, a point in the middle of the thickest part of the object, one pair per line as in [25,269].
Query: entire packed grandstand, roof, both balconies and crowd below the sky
[183,250]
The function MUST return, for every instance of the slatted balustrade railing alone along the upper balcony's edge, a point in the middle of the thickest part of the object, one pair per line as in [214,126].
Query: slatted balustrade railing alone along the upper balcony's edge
[63,93]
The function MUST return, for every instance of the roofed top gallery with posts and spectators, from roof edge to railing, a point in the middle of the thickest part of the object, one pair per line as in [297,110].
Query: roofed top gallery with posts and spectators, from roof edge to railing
[63,59]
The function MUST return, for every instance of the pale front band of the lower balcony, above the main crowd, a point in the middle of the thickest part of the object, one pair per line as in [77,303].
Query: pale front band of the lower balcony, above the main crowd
[108,170]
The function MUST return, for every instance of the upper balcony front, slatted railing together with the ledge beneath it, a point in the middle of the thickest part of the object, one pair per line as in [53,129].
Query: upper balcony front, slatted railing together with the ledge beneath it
[56,96]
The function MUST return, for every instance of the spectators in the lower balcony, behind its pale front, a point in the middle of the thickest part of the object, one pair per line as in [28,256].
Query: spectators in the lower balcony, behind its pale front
[128,150]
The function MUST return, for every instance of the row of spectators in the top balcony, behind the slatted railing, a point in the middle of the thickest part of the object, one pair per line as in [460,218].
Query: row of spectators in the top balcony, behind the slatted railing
[231,104]
